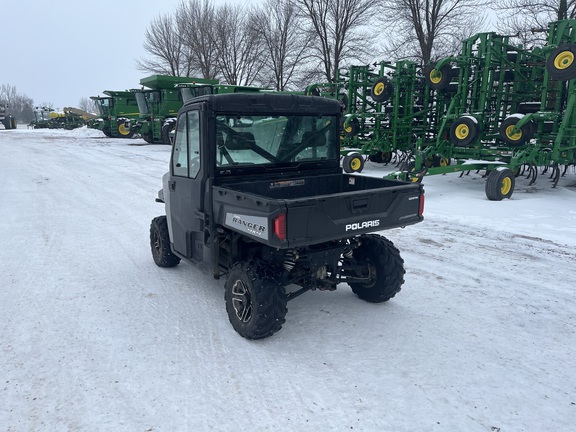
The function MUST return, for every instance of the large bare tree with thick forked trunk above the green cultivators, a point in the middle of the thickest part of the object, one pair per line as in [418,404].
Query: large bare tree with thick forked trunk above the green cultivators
[424,30]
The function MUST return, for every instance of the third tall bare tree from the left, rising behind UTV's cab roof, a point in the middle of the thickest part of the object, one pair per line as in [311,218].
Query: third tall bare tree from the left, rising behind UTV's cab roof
[239,50]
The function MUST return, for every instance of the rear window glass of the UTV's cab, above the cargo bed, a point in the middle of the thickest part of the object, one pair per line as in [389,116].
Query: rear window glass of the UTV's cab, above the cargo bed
[264,140]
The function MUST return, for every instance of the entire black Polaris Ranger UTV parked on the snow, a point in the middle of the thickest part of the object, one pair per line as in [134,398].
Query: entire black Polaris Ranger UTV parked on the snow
[255,191]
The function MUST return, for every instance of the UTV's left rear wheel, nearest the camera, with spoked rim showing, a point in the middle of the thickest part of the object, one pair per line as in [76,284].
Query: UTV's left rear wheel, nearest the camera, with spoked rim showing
[255,300]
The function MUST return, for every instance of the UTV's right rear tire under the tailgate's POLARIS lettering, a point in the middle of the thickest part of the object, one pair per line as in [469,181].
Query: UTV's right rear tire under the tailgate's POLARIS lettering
[383,266]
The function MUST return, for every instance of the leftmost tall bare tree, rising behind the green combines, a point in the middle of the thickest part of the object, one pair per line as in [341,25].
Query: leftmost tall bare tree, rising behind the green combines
[164,45]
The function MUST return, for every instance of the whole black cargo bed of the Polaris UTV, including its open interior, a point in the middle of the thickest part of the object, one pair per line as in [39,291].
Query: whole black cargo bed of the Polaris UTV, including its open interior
[317,208]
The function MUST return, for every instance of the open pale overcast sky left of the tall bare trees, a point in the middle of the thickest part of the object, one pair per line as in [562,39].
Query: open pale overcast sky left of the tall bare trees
[63,50]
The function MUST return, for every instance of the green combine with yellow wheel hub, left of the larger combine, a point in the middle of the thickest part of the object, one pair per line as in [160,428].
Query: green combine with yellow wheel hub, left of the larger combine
[117,111]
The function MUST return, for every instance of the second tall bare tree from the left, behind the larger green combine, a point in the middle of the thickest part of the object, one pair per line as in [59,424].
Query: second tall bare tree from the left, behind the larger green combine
[196,22]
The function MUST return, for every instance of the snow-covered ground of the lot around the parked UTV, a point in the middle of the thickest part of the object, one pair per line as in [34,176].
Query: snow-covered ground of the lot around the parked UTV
[95,337]
